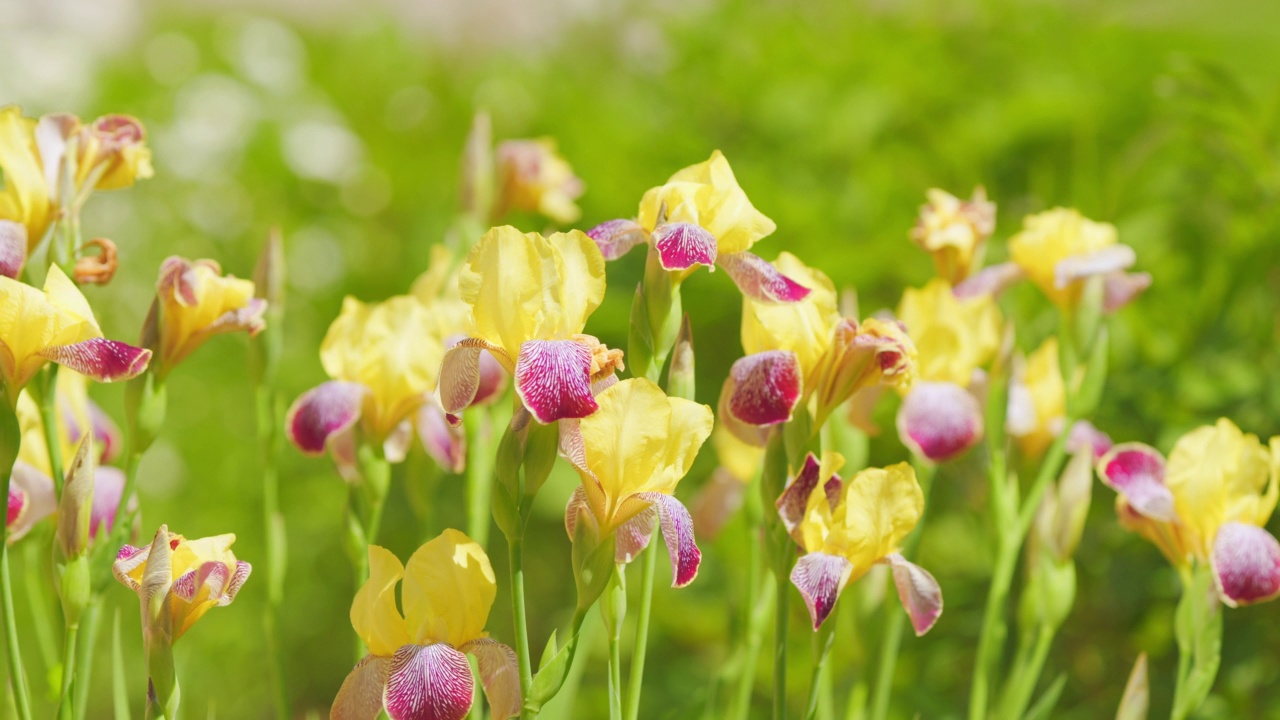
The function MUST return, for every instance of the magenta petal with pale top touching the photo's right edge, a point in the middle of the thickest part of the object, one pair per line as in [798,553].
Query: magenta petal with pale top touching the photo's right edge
[1246,564]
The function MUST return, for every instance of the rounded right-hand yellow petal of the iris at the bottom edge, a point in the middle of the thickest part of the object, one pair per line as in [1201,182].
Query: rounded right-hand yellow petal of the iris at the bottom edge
[449,590]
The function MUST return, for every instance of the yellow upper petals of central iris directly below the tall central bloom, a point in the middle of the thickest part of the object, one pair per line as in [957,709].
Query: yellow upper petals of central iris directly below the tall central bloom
[641,441]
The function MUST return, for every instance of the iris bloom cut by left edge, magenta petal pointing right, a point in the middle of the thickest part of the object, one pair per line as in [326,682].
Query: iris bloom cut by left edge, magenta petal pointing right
[57,325]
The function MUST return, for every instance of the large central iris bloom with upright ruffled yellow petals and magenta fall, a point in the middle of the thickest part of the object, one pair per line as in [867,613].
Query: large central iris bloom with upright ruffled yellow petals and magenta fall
[531,298]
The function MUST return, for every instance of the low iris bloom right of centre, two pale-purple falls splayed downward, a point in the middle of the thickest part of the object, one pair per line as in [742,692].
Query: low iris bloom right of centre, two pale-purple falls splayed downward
[845,528]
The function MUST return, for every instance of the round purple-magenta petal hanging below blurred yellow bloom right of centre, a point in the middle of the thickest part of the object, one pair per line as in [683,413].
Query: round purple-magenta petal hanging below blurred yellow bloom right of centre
[940,421]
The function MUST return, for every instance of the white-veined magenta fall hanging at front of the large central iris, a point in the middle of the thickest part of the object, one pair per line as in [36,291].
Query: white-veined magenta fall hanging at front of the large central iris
[554,380]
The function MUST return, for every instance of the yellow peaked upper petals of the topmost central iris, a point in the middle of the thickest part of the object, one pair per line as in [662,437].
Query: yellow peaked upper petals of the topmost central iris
[708,195]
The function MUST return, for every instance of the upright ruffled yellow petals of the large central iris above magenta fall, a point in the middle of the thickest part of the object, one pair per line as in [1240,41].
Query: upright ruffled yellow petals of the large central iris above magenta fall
[523,286]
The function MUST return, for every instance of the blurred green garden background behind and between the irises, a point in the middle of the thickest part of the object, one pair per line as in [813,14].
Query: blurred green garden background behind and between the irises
[342,124]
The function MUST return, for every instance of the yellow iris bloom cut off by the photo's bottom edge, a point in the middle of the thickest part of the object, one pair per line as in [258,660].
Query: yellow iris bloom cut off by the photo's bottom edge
[417,668]
